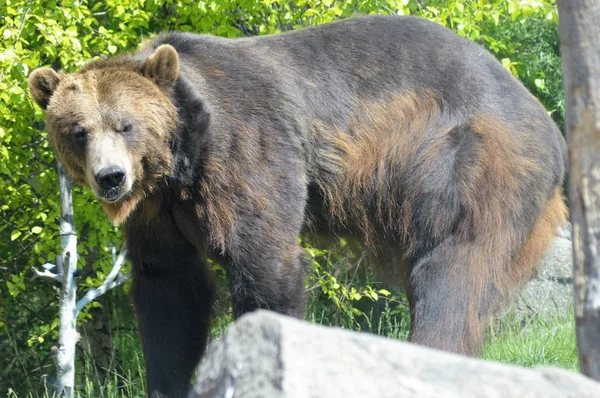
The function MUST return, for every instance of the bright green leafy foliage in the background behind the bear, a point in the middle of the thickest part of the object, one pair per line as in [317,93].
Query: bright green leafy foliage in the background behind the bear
[63,35]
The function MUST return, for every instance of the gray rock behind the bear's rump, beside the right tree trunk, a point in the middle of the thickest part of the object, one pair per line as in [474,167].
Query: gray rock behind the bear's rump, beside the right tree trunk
[549,293]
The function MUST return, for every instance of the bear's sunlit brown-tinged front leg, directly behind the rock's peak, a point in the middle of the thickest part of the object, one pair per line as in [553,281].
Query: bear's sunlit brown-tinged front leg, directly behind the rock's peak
[263,259]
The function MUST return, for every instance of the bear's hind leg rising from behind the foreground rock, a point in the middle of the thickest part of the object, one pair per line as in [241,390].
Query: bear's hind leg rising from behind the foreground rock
[453,293]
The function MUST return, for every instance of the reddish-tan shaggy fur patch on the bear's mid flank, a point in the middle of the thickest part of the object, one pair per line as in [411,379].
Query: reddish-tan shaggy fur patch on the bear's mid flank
[383,134]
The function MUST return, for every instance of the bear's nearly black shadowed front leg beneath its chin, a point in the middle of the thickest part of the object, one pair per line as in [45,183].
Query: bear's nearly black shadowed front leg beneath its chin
[173,293]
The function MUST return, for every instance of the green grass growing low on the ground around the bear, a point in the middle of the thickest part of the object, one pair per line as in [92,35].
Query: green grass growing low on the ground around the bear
[537,343]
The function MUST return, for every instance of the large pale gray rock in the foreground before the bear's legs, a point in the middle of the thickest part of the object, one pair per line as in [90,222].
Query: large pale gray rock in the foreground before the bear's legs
[268,355]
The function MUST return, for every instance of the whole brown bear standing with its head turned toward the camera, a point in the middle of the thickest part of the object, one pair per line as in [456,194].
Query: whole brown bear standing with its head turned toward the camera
[391,130]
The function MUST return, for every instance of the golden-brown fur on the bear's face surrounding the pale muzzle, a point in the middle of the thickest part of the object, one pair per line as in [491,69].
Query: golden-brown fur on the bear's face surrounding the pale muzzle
[96,98]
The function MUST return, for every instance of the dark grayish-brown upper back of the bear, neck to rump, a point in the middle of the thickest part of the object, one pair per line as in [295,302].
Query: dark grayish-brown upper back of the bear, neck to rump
[367,56]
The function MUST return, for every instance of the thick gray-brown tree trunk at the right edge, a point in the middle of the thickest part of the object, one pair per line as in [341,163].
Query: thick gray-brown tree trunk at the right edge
[580,47]
